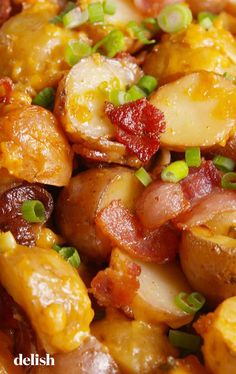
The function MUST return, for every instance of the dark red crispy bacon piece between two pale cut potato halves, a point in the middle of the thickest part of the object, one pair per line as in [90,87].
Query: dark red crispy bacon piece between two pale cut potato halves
[138,126]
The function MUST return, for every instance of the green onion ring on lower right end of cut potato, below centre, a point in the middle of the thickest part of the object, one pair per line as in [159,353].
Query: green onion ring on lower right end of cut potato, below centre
[190,303]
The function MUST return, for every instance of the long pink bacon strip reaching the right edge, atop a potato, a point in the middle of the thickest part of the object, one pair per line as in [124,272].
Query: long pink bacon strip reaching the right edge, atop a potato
[212,204]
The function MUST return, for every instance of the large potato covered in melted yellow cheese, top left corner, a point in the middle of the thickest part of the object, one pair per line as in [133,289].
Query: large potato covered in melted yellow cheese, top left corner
[32,48]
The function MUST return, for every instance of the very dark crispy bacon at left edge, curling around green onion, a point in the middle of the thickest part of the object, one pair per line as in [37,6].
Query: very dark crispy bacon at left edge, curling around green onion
[10,211]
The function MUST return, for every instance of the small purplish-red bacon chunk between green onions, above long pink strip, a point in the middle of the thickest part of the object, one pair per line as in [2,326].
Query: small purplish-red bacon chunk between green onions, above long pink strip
[201,181]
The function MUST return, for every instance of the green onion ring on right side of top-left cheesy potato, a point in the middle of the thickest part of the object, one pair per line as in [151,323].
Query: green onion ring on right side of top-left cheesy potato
[75,50]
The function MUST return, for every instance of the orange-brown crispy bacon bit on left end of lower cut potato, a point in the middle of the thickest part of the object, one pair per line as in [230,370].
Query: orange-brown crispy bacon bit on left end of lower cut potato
[116,287]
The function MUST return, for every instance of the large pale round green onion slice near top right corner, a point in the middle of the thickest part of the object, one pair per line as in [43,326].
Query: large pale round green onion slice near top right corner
[174,18]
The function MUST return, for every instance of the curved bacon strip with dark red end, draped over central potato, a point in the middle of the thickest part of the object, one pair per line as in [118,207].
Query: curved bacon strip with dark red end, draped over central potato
[125,231]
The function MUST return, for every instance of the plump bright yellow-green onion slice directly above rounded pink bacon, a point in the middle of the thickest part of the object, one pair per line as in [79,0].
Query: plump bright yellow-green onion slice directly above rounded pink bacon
[175,172]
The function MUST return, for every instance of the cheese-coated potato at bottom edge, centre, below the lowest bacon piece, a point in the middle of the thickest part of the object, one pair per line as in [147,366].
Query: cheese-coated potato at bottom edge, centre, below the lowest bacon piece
[136,346]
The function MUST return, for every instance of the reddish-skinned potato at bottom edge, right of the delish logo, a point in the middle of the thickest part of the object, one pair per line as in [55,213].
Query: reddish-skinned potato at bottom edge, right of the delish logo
[90,358]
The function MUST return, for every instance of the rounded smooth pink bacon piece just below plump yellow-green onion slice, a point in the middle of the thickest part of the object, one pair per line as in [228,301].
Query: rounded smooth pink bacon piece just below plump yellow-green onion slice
[159,203]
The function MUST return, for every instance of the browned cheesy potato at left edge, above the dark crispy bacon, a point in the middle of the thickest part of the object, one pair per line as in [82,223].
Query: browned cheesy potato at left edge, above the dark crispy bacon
[33,147]
